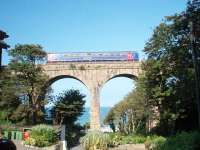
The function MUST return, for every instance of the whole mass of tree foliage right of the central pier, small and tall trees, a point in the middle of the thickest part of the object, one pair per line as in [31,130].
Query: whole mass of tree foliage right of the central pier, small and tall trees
[166,91]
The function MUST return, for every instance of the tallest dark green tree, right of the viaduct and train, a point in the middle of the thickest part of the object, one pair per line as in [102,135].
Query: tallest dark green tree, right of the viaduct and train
[169,74]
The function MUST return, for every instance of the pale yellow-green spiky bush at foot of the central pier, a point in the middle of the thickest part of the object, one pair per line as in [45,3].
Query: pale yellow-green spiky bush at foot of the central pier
[95,140]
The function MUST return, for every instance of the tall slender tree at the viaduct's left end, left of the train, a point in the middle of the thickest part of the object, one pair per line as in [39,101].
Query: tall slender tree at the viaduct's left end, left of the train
[30,79]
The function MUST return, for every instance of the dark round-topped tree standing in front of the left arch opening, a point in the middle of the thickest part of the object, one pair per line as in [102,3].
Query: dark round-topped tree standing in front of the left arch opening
[68,107]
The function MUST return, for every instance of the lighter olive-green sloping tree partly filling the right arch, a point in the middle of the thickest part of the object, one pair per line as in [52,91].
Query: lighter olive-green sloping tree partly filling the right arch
[132,113]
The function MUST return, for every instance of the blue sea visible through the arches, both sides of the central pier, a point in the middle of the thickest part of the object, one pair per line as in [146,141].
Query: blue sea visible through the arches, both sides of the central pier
[86,116]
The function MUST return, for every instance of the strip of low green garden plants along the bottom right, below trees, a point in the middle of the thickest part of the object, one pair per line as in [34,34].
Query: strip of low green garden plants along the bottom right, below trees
[103,141]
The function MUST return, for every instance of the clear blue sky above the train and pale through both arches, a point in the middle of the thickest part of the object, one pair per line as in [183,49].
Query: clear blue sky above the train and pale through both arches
[86,25]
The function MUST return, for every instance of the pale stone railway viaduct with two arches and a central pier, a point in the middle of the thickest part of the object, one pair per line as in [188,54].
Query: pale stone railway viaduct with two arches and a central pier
[93,75]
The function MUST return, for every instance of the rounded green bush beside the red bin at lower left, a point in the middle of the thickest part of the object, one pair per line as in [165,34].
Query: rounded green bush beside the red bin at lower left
[42,135]
